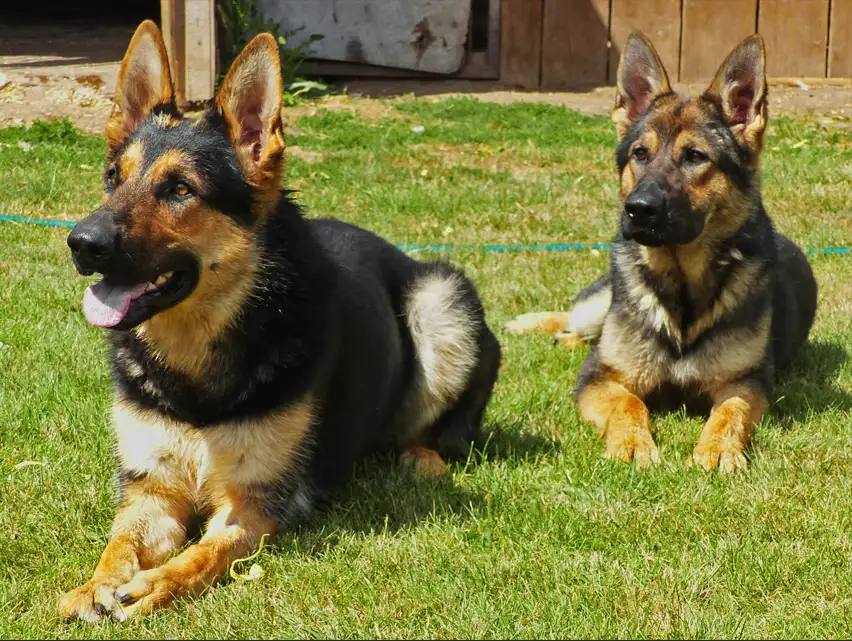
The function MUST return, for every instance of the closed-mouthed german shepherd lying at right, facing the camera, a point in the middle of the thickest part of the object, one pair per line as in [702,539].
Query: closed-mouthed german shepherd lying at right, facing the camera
[704,300]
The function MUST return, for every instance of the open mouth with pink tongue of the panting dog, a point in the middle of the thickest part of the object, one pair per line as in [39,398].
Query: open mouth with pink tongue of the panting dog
[121,306]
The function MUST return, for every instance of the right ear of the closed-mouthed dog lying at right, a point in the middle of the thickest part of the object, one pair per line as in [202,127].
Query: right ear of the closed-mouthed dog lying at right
[739,89]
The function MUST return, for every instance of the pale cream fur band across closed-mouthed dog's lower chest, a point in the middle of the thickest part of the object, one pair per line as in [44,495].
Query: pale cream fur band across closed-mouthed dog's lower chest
[644,365]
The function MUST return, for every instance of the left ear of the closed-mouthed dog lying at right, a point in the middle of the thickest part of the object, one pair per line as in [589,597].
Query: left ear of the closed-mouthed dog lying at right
[641,78]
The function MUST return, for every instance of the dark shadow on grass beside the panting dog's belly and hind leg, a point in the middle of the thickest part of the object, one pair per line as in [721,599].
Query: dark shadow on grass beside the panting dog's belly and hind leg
[385,496]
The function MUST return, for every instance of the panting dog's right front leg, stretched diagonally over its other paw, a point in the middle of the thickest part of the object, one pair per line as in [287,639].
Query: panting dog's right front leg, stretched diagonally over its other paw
[235,529]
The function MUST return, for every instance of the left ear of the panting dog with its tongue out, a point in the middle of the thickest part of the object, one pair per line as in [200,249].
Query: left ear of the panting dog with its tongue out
[144,82]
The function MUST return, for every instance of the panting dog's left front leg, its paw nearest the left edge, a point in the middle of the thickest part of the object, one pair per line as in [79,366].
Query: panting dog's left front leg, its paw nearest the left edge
[150,525]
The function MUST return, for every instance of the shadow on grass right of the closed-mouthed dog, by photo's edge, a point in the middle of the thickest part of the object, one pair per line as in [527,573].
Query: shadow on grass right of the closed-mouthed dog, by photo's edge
[809,386]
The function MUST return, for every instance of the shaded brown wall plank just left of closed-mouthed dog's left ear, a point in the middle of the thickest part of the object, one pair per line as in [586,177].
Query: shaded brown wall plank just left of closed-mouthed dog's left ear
[574,43]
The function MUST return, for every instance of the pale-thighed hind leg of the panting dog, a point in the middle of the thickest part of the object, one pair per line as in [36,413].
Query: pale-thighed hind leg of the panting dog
[456,361]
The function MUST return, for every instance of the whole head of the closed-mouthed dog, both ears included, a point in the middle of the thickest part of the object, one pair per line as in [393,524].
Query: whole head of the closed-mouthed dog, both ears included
[684,163]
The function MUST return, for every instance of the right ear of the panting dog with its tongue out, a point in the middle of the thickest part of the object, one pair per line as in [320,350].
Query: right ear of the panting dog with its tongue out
[250,102]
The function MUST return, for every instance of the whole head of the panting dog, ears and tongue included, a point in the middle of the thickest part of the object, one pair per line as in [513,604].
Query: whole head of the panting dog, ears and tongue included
[181,196]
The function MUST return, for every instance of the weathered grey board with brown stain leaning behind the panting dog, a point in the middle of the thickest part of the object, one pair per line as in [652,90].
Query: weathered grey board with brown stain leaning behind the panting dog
[422,35]
